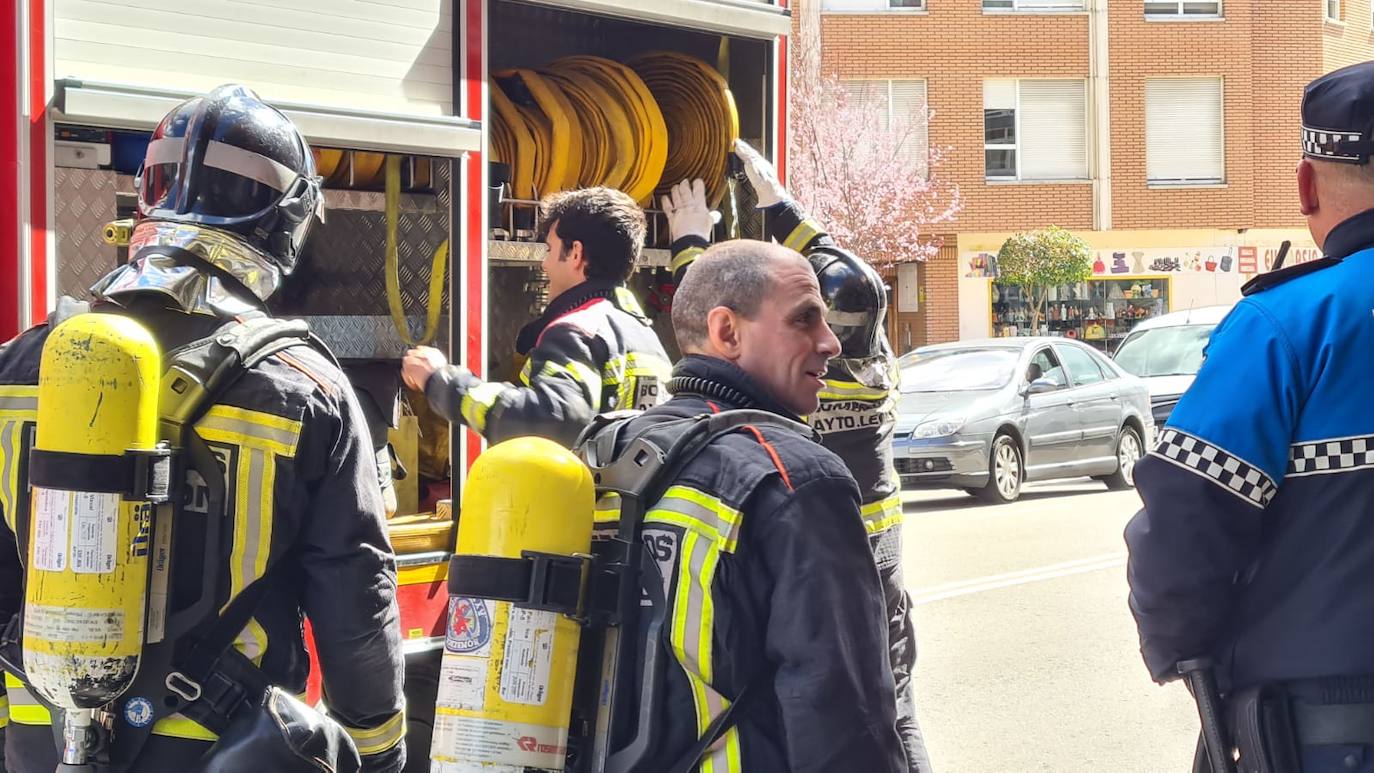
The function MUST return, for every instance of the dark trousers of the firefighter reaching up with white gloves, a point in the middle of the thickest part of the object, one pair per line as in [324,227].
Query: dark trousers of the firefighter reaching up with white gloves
[902,642]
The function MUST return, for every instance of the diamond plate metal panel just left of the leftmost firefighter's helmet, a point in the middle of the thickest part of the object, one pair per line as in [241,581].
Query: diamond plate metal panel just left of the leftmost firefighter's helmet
[85,201]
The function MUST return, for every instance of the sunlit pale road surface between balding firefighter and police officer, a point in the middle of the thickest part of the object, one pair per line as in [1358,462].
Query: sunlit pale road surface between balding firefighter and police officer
[1028,654]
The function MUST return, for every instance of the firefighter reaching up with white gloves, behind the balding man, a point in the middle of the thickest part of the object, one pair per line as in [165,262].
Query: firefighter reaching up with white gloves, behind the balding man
[859,403]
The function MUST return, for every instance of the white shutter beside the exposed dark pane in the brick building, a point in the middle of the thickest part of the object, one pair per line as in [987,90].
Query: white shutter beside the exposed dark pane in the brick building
[1055,135]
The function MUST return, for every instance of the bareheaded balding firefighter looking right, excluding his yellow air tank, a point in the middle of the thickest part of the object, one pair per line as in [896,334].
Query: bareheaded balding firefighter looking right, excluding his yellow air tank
[772,583]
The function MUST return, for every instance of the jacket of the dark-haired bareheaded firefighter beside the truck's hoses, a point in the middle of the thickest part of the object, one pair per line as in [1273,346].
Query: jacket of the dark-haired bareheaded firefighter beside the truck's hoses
[593,351]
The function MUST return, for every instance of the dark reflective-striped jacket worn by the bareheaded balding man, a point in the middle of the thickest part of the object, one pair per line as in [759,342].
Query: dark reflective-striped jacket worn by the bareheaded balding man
[769,576]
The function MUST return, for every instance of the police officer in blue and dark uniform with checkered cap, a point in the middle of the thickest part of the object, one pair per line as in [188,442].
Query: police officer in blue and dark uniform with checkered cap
[1257,543]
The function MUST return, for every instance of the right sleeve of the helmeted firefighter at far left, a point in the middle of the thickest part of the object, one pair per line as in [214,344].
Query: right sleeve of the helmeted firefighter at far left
[350,580]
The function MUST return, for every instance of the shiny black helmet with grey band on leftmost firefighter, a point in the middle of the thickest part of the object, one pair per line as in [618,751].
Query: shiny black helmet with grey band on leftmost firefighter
[233,163]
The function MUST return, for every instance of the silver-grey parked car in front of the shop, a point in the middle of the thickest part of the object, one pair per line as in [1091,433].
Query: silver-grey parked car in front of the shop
[991,415]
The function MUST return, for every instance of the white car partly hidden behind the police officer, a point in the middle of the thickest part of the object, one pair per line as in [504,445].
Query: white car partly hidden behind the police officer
[1167,354]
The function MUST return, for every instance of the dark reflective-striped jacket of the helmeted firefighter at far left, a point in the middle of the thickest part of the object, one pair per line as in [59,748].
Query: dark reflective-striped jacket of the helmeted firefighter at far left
[303,496]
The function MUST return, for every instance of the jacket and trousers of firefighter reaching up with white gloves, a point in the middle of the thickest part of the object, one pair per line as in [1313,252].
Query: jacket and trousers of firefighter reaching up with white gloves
[857,419]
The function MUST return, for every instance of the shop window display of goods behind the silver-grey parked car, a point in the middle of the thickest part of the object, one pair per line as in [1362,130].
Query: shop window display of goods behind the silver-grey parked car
[1100,312]
